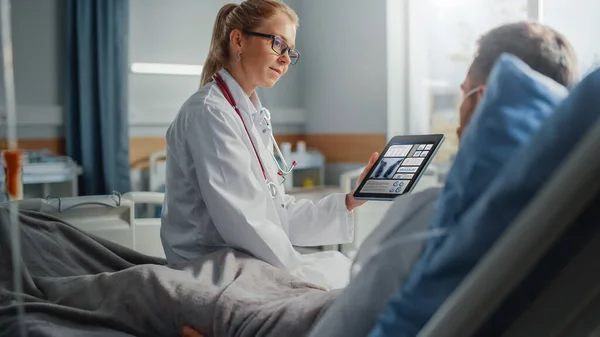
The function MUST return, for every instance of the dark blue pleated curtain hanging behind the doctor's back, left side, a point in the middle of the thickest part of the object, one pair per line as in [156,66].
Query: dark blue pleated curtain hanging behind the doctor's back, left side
[96,123]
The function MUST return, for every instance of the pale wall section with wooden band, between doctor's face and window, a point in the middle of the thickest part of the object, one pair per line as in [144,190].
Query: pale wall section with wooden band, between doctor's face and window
[343,80]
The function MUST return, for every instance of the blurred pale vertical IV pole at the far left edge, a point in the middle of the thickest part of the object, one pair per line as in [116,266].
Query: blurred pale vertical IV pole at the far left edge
[11,144]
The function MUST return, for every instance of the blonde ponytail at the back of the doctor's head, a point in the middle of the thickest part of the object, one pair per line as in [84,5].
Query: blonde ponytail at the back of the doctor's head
[219,46]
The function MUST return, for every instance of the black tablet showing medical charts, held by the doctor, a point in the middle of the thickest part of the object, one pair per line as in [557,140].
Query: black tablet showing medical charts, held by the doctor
[399,167]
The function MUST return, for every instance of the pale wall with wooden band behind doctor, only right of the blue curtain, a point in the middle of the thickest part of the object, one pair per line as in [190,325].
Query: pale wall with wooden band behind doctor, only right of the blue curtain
[334,99]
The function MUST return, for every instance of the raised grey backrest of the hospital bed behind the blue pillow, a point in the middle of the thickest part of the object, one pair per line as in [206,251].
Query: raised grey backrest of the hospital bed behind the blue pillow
[569,304]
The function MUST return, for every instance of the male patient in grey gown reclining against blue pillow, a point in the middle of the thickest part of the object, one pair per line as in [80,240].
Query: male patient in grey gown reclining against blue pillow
[385,258]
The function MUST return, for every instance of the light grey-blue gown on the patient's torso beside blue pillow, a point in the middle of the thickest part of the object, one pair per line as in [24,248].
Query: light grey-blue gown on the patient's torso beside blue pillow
[382,263]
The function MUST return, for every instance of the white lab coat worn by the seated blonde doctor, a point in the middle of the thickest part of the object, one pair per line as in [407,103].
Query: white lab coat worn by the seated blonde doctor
[217,196]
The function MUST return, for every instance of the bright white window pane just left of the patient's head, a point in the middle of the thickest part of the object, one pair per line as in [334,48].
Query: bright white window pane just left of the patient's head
[452,31]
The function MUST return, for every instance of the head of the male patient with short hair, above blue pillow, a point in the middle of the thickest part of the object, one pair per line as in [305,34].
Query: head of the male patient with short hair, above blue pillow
[542,48]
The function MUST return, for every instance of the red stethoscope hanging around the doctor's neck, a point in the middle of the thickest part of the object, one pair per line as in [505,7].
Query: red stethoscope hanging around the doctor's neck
[282,172]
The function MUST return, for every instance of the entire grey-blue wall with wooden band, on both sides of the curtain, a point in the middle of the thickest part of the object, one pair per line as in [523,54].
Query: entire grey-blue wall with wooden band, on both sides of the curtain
[301,108]
